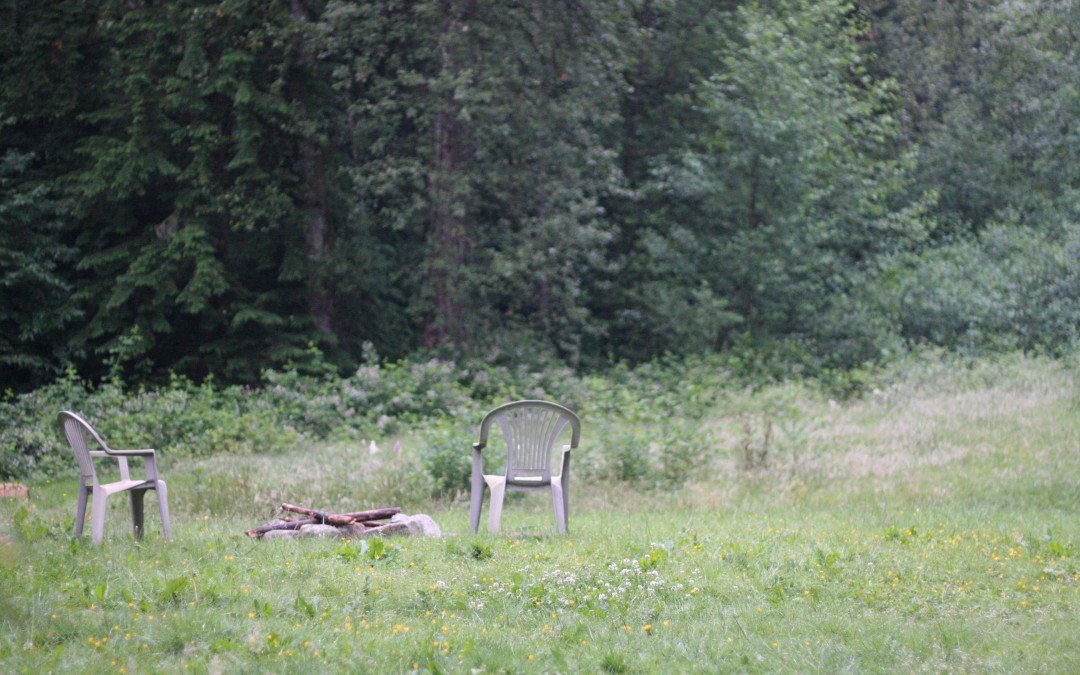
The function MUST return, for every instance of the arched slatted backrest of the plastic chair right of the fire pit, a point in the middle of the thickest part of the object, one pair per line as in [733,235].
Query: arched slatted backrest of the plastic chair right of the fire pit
[531,429]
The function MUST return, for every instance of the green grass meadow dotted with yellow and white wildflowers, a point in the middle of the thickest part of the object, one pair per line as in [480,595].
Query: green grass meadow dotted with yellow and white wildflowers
[929,526]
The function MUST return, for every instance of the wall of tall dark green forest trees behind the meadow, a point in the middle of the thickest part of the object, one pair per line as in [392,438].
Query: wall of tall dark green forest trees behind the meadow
[225,187]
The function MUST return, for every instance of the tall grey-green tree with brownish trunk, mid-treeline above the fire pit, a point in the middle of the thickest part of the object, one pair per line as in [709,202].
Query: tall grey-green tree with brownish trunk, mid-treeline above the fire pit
[476,130]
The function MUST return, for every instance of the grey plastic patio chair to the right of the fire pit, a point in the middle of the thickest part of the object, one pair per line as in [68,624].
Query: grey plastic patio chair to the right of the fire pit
[531,429]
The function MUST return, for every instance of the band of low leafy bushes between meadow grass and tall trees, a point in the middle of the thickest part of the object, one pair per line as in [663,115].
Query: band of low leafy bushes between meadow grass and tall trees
[643,421]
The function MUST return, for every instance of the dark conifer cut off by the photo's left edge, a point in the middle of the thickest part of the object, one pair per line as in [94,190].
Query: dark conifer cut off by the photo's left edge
[49,77]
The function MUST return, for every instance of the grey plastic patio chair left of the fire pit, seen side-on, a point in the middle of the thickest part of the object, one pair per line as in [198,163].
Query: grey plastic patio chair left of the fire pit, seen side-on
[78,434]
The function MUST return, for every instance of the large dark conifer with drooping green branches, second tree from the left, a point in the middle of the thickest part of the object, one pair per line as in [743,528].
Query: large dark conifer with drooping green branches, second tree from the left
[200,204]
